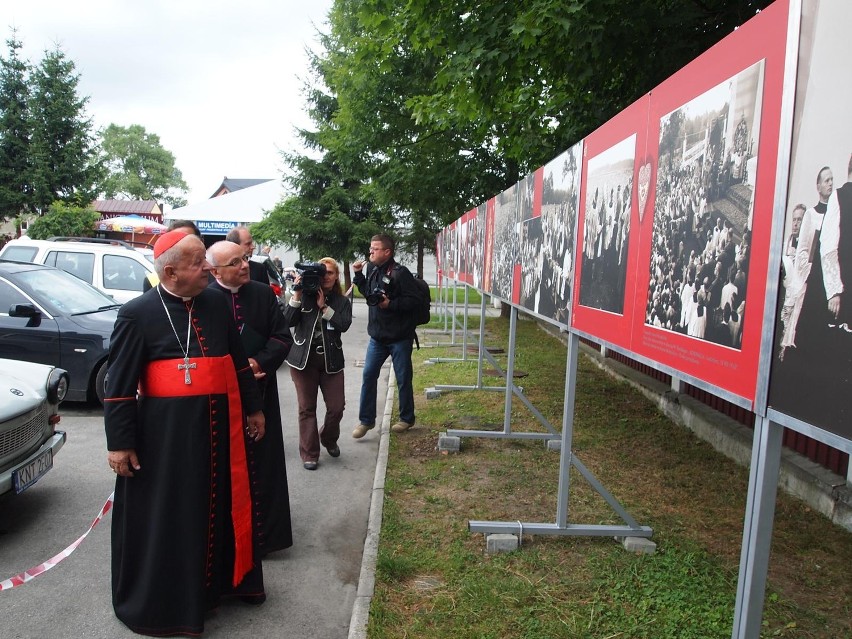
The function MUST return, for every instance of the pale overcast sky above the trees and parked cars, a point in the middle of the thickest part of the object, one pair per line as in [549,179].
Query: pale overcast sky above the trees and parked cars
[219,81]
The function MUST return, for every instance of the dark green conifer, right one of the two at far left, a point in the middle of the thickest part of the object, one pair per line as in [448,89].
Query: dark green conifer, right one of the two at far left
[63,156]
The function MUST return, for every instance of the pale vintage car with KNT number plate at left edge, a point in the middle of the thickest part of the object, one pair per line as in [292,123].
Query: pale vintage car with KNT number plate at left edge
[29,400]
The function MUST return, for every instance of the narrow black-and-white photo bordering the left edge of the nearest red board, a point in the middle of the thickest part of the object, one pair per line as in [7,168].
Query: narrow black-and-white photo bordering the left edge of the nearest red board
[559,204]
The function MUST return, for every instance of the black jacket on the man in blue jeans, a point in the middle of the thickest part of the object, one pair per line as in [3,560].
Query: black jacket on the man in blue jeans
[396,322]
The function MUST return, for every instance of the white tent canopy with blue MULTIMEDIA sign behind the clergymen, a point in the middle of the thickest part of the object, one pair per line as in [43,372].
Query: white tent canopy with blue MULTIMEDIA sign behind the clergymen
[217,215]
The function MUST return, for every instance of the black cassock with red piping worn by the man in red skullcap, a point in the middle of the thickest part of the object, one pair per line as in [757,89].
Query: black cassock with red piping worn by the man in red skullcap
[172,532]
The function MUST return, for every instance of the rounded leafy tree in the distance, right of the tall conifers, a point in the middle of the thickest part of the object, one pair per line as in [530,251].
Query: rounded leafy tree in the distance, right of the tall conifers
[138,167]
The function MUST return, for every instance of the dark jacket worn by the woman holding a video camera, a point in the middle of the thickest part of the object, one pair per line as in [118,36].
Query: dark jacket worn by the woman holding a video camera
[303,323]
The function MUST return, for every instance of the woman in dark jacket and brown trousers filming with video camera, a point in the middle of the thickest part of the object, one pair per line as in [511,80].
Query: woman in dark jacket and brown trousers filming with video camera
[319,313]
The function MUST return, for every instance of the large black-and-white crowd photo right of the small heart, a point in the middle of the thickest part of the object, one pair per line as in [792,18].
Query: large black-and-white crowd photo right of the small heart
[706,171]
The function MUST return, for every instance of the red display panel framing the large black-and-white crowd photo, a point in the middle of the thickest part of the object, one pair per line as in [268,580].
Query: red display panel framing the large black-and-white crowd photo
[703,249]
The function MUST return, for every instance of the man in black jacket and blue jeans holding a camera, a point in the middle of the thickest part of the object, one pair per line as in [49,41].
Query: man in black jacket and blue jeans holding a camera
[391,295]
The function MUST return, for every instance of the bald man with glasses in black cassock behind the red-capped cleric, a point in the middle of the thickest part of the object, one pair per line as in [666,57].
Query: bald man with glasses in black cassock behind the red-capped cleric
[267,340]
